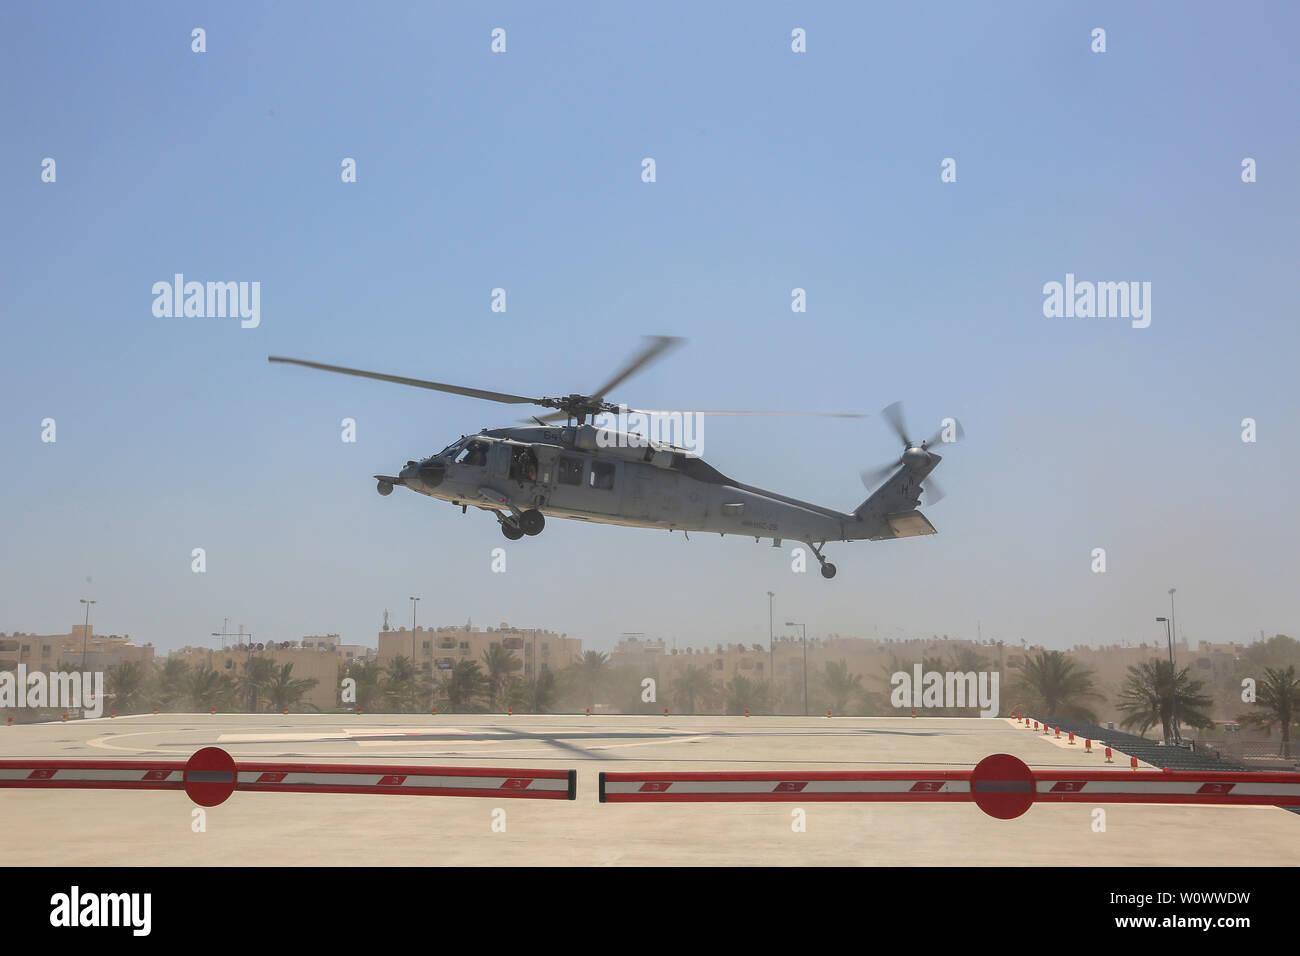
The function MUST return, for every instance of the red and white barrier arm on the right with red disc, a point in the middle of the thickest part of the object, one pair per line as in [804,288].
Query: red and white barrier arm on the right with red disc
[1000,785]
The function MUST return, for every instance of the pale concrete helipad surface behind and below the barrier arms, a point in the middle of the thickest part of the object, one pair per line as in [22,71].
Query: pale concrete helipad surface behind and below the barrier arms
[107,828]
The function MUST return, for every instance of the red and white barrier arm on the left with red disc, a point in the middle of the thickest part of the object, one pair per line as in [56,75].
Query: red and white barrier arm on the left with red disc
[211,776]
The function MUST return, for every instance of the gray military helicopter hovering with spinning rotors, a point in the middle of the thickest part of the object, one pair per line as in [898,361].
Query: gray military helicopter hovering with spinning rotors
[526,474]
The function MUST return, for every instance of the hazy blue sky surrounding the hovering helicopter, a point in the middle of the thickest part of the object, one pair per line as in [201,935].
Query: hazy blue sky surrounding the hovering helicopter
[774,171]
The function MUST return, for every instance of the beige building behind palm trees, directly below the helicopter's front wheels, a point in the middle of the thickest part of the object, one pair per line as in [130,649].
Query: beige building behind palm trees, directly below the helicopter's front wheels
[437,651]
